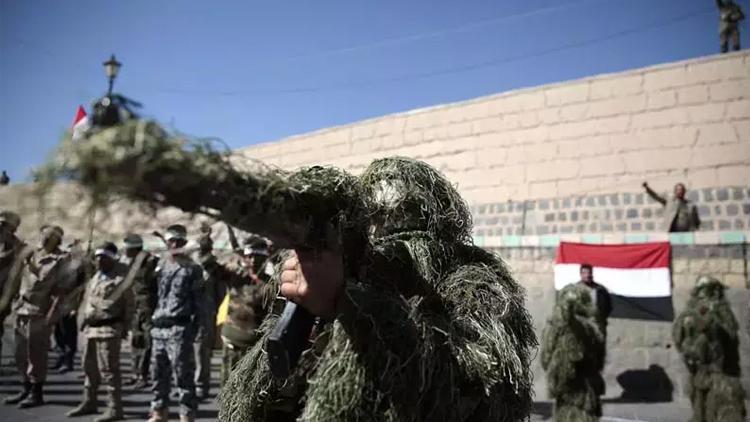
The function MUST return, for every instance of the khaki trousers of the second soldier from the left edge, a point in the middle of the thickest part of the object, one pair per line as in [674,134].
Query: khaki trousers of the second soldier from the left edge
[32,338]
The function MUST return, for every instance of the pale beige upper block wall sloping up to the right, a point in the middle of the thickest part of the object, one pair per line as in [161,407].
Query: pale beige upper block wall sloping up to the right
[685,121]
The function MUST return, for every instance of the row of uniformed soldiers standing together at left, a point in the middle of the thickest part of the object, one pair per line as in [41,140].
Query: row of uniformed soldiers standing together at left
[166,306]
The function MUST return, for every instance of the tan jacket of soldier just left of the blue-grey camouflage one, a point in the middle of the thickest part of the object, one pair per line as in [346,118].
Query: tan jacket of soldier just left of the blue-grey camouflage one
[103,315]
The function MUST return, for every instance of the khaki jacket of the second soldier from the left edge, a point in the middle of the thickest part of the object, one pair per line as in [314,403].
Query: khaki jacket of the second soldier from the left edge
[40,283]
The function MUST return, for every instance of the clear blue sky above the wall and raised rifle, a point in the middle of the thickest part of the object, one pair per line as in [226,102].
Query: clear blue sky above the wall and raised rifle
[255,71]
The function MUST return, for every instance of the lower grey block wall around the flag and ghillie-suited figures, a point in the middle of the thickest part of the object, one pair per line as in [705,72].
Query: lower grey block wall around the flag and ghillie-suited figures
[641,353]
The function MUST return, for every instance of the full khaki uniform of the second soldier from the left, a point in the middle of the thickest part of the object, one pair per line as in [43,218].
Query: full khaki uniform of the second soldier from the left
[32,332]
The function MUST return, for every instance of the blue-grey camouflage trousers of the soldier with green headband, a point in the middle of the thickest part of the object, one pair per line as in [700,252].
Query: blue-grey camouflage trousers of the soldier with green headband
[172,350]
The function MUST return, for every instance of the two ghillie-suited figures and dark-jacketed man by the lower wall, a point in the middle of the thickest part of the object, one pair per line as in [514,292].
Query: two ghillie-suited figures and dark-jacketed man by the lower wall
[705,334]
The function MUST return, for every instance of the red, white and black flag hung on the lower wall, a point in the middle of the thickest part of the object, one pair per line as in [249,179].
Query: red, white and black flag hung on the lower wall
[637,276]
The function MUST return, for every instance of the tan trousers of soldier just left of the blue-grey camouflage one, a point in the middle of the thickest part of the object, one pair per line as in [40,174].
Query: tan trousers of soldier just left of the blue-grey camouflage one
[101,364]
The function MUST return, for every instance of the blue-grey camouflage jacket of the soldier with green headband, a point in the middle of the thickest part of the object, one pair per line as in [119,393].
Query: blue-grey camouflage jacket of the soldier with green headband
[179,294]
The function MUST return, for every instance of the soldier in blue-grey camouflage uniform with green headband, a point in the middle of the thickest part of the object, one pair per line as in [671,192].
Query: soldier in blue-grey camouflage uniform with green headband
[179,313]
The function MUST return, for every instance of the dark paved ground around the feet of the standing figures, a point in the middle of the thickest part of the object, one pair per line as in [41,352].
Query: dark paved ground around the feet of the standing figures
[63,392]
